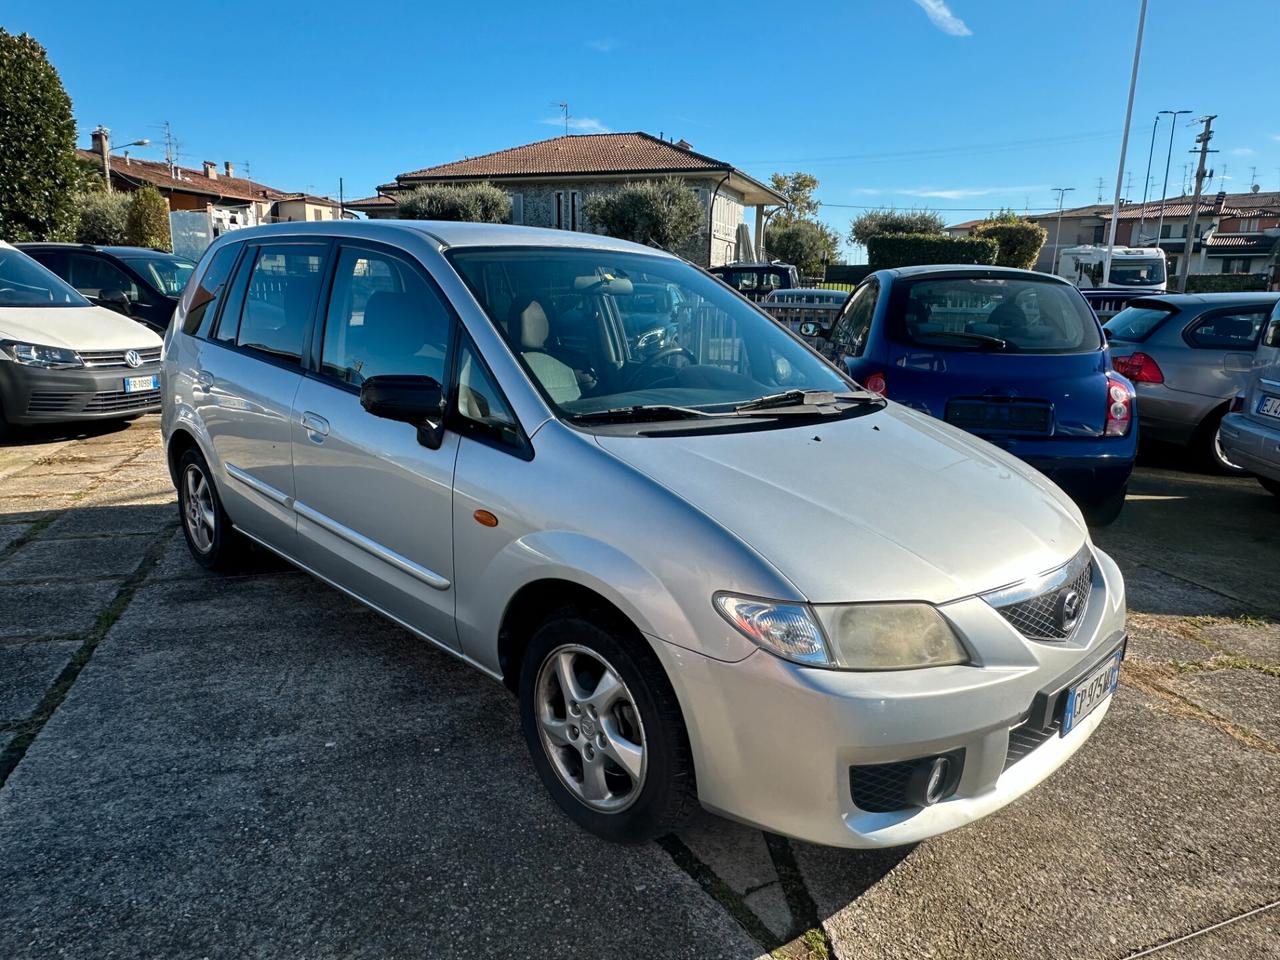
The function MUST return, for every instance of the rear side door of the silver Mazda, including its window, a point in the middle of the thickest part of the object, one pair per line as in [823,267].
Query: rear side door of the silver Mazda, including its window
[245,377]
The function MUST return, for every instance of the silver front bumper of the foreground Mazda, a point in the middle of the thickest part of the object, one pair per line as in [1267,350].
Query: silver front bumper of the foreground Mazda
[774,743]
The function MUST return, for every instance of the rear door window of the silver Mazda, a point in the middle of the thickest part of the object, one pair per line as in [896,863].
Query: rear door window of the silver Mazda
[281,300]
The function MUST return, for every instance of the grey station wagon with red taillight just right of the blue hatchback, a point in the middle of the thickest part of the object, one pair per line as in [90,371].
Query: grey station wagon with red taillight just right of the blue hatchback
[1188,355]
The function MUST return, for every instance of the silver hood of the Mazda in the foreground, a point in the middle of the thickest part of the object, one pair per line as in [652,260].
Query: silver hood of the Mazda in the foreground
[888,506]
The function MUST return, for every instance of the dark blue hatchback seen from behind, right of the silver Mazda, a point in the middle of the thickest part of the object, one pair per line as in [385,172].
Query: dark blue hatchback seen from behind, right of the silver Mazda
[1014,356]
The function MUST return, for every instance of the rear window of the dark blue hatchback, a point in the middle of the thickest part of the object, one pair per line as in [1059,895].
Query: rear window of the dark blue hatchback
[1018,316]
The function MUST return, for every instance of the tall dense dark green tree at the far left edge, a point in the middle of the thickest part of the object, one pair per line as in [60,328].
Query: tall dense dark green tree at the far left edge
[38,145]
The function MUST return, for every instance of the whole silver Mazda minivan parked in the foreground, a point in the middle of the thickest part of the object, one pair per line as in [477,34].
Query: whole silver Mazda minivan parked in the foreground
[716,573]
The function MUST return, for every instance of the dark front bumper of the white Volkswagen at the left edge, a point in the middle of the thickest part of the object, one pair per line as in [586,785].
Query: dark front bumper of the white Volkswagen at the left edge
[40,396]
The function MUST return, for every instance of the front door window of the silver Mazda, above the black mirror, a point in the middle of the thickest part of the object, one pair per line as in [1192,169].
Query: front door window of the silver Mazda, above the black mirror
[383,318]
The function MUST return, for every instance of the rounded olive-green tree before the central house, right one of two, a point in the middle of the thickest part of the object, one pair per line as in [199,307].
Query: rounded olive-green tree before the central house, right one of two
[660,213]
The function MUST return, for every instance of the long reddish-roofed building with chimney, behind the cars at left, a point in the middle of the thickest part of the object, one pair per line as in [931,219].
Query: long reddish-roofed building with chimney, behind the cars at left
[230,200]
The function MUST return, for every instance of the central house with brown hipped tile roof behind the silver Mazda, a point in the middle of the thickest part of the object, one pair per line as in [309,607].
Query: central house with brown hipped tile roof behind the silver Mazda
[550,181]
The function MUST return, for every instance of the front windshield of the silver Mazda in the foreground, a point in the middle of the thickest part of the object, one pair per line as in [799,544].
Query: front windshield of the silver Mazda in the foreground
[601,331]
